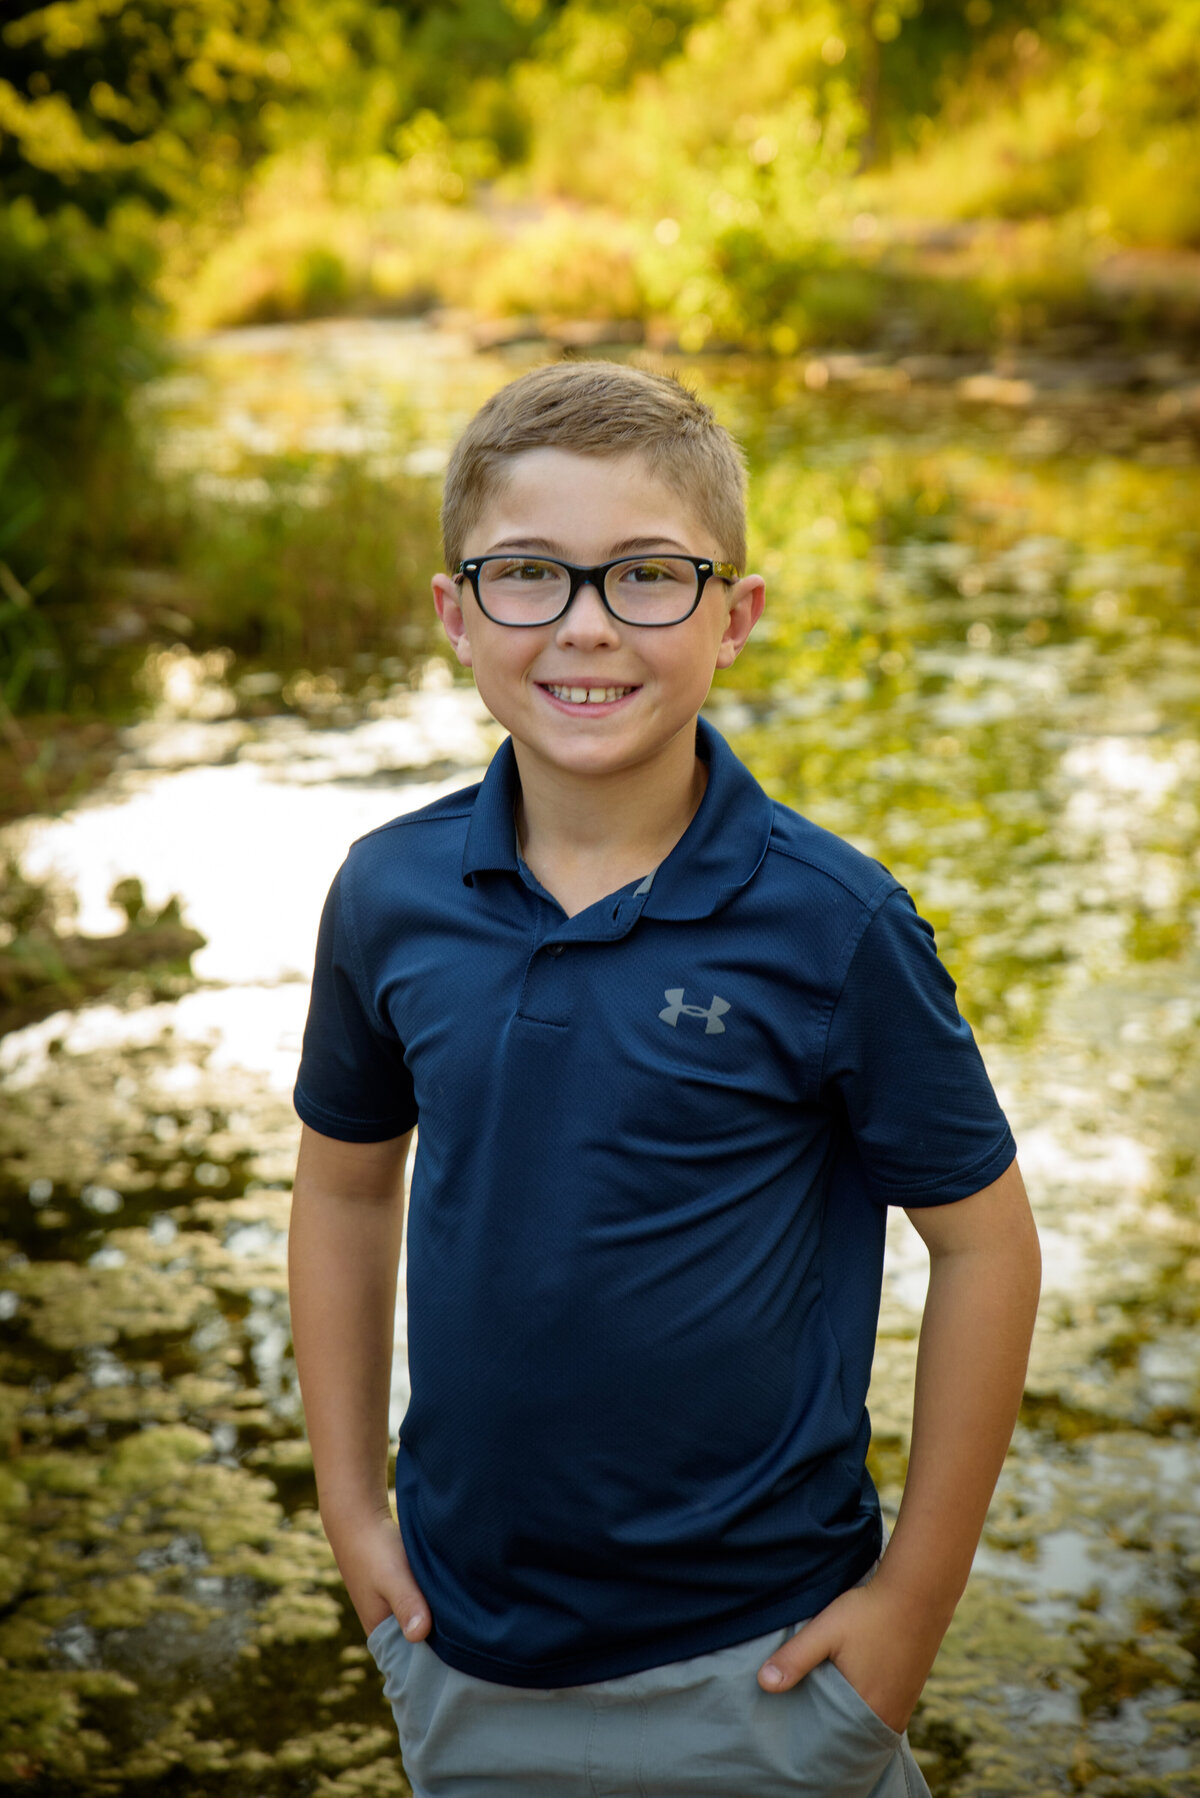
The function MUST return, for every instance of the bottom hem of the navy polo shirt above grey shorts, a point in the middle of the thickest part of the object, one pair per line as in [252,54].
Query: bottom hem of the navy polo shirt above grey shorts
[784,1612]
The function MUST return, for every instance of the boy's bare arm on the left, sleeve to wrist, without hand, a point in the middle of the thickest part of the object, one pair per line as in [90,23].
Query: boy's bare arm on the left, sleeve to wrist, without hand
[343,1259]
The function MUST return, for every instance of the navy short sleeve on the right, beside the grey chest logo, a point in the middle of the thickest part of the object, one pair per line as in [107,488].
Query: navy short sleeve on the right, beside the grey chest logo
[902,1058]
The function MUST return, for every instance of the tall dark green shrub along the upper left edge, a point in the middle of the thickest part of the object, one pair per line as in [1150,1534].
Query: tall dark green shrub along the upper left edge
[109,118]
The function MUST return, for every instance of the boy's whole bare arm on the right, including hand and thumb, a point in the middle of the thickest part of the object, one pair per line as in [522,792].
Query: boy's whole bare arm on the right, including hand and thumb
[983,1297]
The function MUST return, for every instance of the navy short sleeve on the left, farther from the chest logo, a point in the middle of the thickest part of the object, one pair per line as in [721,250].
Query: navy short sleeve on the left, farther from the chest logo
[354,1081]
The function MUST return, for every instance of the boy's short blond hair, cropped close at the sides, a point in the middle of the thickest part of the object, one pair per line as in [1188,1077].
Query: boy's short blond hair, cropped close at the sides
[604,409]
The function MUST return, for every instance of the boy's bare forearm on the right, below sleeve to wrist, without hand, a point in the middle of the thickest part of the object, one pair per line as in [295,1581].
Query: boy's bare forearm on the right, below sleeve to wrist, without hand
[971,1376]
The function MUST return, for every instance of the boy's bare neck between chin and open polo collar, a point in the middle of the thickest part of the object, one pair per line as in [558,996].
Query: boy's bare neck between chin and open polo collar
[584,839]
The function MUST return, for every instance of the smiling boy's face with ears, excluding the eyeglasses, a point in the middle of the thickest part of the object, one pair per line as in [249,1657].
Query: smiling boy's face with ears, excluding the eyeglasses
[591,510]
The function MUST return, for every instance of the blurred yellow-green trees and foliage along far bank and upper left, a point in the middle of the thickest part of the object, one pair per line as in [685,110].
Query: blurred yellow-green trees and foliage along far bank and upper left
[771,175]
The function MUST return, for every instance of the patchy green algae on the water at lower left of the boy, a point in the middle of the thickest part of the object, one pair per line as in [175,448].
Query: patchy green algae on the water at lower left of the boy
[172,1621]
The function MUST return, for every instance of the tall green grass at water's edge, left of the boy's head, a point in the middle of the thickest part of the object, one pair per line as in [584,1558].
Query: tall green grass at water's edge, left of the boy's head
[294,562]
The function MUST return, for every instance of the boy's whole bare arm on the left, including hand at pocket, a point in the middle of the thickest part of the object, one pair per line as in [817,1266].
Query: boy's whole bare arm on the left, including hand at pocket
[343,1258]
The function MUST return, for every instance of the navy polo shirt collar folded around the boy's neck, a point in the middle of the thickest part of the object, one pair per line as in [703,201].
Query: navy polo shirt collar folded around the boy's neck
[717,857]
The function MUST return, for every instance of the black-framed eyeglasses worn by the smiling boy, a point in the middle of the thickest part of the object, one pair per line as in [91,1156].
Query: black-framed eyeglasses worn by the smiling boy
[650,591]
